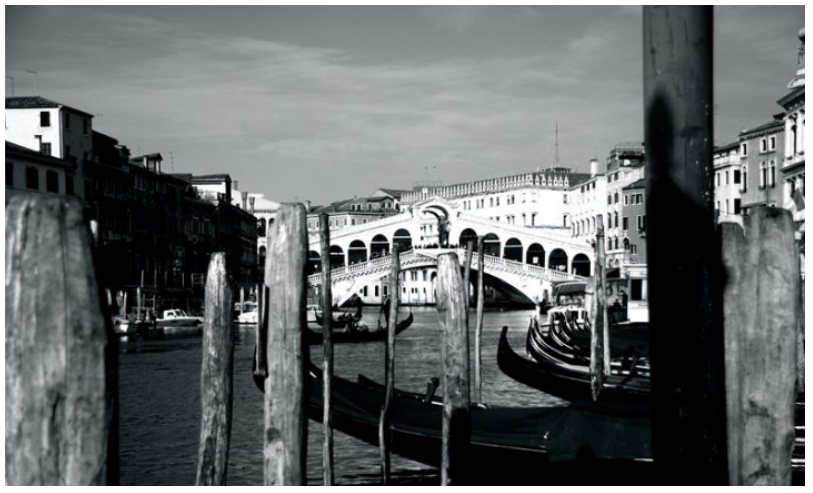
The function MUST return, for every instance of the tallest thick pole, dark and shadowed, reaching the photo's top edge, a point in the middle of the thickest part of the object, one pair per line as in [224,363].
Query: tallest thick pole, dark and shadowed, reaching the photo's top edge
[688,422]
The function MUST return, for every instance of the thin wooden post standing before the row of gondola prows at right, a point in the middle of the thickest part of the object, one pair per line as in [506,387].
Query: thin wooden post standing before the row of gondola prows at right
[599,360]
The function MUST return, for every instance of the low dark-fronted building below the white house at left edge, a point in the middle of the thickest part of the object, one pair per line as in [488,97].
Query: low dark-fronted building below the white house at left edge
[30,171]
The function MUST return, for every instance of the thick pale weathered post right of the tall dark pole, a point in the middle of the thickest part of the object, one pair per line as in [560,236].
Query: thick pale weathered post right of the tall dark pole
[762,309]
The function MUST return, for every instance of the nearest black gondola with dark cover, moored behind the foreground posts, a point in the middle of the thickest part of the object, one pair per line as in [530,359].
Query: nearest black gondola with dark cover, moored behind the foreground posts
[550,445]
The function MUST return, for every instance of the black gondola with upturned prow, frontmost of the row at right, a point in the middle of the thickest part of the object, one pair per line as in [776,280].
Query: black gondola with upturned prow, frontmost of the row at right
[566,381]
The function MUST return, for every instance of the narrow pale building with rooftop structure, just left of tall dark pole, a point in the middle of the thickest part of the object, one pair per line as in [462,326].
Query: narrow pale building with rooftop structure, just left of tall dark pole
[625,166]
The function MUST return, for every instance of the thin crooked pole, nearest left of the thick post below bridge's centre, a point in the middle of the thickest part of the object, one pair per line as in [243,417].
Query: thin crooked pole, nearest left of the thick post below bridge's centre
[384,435]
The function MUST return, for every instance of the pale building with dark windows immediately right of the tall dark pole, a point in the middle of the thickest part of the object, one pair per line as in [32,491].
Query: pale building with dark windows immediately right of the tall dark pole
[728,181]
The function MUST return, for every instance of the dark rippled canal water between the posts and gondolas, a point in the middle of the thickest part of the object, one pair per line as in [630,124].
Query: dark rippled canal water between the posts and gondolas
[159,394]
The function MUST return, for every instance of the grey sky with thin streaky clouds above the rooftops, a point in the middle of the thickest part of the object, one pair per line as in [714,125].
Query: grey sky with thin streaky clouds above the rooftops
[324,103]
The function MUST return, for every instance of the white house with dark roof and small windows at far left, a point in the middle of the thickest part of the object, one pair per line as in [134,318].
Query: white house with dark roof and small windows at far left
[55,130]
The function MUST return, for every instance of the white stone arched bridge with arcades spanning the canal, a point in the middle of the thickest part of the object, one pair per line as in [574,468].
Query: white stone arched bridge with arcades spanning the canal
[526,261]
